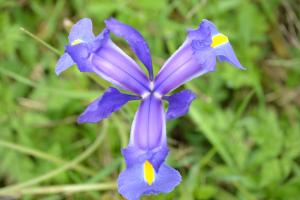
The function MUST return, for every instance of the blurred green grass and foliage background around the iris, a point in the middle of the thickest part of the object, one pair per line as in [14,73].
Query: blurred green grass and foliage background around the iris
[240,140]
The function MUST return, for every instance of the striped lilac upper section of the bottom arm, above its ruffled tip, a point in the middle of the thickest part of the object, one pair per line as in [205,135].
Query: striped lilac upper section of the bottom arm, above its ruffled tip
[148,129]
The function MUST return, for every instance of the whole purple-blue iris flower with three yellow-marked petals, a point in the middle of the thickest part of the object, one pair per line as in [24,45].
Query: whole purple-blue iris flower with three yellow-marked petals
[146,171]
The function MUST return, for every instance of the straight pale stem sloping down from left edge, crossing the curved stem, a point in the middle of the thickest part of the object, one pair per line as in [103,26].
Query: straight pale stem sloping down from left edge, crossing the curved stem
[42,155]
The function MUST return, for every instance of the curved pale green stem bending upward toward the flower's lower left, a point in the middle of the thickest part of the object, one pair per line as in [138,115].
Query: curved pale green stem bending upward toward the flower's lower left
[71,164]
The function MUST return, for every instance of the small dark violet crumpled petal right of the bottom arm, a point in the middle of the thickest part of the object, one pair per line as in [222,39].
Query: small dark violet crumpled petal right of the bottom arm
[179,103]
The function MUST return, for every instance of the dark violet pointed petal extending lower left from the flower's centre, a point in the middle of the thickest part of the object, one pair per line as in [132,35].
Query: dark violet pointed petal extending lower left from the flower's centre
[111,101]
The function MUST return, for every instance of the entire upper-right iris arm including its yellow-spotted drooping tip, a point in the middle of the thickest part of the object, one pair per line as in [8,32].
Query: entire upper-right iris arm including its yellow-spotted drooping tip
[195,57]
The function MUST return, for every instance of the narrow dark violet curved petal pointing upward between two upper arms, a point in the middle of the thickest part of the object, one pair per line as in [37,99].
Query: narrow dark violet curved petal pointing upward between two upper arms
[135,40]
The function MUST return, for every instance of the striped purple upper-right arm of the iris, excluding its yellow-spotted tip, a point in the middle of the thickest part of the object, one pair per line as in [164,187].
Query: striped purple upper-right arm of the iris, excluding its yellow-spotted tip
[192,59]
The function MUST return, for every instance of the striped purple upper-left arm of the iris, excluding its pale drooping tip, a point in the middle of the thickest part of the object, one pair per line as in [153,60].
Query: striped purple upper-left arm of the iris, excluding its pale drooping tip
[104,58]
